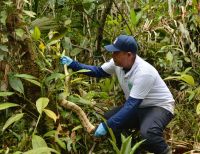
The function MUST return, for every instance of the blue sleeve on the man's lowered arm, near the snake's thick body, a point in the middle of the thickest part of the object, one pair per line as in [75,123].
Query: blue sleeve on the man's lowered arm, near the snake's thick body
[129,108]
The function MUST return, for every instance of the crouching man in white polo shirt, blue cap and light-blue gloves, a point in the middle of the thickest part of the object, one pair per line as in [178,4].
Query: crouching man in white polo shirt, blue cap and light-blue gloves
[149,105]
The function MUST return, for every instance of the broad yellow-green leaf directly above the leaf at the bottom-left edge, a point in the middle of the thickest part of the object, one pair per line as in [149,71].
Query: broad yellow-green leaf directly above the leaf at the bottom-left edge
[38,142]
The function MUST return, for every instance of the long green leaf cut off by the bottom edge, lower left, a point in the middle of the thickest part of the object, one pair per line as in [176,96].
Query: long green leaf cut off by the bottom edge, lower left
[42,150]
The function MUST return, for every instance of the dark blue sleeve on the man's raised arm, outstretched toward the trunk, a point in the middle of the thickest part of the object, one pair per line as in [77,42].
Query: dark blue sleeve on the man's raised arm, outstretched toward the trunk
[95,71]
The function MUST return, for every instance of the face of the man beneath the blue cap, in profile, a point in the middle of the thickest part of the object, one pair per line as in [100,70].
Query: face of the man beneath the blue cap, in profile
[122,59]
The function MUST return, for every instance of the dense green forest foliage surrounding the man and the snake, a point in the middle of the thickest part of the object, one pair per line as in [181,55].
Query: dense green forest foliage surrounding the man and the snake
[34,34]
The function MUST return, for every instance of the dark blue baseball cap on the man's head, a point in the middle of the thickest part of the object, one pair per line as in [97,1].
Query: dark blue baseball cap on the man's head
[123,43]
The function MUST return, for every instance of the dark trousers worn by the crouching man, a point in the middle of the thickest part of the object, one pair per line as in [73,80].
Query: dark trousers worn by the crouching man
[150,122]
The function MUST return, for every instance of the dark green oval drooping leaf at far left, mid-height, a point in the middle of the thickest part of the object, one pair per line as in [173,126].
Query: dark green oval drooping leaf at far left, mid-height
[16,84]
